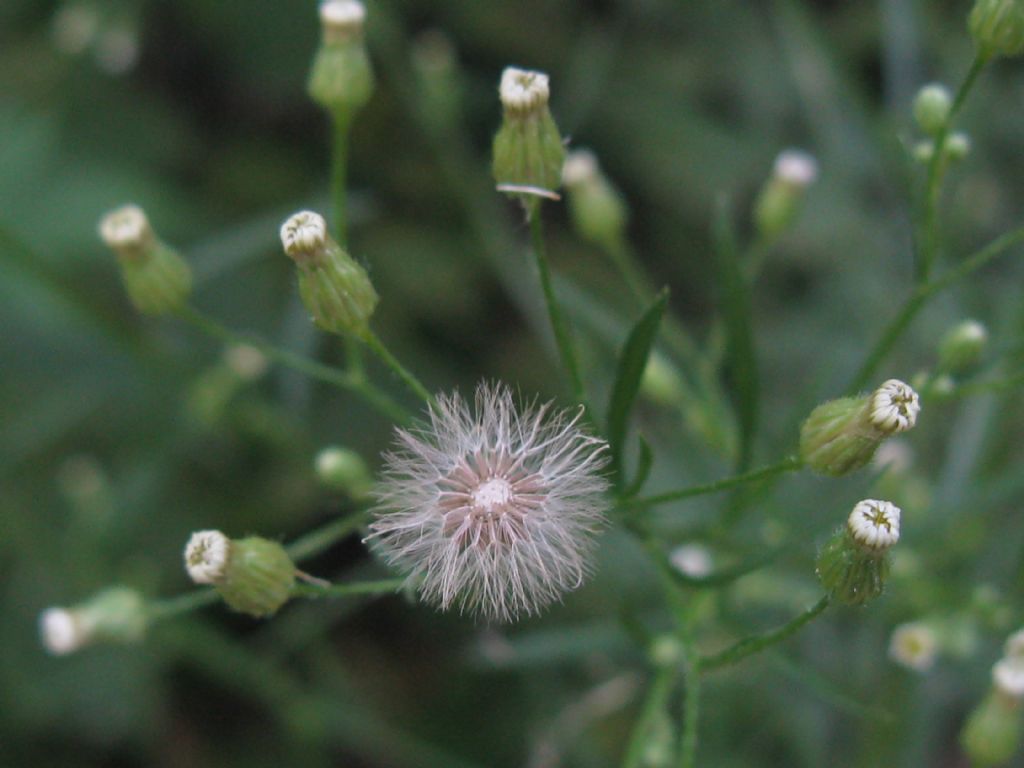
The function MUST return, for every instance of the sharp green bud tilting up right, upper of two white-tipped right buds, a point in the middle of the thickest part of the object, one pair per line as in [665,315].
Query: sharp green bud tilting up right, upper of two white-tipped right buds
[842,436]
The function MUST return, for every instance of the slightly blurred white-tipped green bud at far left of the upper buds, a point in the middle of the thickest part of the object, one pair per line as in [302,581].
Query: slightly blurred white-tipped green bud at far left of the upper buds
[157,279]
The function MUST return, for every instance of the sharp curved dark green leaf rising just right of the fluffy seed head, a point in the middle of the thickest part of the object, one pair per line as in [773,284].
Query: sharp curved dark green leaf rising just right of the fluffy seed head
[631,366]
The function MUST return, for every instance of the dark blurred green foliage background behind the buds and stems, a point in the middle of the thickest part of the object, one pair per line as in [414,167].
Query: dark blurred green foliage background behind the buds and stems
[117,437]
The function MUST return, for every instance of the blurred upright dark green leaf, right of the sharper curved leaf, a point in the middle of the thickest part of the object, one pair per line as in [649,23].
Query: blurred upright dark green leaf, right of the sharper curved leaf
[740,357]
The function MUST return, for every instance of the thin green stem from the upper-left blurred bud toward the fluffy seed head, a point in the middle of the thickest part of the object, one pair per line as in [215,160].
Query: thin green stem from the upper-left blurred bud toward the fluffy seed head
[314,370]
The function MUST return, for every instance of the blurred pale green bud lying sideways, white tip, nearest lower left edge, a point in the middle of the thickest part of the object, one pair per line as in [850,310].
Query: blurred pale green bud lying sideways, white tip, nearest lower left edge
[117,615]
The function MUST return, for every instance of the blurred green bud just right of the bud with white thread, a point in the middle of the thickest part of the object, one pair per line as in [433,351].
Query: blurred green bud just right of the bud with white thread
[598,208]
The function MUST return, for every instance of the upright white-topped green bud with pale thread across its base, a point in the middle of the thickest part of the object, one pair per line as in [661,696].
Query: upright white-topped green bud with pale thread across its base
[528,150]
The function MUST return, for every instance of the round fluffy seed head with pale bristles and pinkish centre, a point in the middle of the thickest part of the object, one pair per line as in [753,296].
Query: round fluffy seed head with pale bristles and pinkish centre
[492,509]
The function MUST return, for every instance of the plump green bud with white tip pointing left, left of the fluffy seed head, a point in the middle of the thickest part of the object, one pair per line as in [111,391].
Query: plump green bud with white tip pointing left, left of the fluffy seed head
[253,576]
